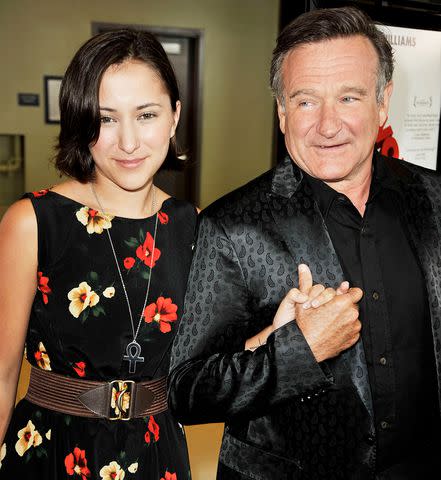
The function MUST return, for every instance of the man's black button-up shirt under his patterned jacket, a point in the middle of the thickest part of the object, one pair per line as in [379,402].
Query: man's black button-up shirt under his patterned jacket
[377,255]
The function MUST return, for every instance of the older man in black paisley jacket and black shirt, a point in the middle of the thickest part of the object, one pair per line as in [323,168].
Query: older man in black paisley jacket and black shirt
[310,402]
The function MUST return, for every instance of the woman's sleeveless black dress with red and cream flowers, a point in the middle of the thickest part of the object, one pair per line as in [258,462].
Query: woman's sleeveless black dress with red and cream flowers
[80,326]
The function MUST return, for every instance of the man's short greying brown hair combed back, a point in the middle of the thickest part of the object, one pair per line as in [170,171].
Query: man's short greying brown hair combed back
[328,24]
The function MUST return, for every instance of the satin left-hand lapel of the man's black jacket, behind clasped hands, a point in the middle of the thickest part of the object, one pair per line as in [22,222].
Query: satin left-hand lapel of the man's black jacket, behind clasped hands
[300,224]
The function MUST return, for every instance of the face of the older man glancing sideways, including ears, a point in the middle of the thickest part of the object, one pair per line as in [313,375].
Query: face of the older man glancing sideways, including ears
[330,116]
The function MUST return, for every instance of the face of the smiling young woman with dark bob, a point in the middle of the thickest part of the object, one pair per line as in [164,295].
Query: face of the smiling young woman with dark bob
[137,122]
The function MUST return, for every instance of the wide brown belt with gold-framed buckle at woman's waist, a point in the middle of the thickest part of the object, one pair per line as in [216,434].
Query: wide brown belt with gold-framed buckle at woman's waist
[115,400]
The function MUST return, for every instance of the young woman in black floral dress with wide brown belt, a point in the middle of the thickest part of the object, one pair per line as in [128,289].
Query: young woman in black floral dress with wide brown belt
[93,276]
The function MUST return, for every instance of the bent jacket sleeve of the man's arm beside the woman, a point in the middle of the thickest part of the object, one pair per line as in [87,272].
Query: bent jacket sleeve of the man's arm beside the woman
[212,377]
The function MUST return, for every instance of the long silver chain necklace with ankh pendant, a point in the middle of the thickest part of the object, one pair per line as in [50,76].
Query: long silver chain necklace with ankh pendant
[133,348]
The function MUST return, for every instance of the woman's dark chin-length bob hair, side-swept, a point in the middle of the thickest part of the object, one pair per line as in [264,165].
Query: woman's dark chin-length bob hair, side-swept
[79,95]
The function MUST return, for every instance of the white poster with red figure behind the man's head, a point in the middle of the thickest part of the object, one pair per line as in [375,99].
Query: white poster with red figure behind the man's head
[412,129]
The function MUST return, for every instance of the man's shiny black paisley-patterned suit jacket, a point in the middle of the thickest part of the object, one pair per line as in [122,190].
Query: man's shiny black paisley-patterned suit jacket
[286,416]
